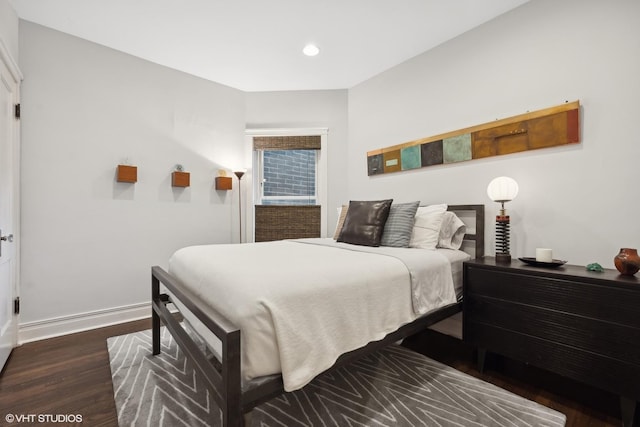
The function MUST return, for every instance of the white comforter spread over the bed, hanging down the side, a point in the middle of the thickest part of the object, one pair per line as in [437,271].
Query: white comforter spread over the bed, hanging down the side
[300,304]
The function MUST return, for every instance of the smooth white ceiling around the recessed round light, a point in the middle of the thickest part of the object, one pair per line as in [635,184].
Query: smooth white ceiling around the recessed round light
[256,45]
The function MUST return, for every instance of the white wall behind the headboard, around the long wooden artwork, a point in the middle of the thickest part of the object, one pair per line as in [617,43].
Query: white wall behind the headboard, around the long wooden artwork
[580,200]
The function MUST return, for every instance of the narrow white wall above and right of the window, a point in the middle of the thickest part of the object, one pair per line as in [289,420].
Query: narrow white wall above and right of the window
[309,109]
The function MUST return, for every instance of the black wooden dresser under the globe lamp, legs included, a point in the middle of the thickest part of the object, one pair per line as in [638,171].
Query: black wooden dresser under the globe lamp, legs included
[580,324]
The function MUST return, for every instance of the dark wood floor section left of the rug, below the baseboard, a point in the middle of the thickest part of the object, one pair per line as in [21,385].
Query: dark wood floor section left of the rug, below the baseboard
[65,375]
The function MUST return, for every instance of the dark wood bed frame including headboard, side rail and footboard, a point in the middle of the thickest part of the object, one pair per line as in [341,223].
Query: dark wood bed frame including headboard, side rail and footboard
[223,378]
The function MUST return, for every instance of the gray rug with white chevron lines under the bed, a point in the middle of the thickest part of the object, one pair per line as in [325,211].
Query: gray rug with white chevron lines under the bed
[392,387]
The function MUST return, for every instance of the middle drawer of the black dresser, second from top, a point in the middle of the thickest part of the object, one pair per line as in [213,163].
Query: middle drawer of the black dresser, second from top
[612,340]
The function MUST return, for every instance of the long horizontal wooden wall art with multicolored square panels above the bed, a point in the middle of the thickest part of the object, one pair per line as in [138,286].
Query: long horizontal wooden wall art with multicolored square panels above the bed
[539,129]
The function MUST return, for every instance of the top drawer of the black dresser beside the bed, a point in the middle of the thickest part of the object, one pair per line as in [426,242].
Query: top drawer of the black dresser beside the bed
[616,304]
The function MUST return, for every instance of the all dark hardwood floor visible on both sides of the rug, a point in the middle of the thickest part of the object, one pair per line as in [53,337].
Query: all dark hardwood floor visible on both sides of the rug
[71,375]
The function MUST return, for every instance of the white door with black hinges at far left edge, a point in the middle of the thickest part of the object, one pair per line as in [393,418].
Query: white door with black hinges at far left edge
[9,158]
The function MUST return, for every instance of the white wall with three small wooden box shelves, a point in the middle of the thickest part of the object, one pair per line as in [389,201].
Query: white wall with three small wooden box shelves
[88,241]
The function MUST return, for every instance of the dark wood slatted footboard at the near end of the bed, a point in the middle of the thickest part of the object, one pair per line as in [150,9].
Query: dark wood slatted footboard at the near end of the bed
[224,382]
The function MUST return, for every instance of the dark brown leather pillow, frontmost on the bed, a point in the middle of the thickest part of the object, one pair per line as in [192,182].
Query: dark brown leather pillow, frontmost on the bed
[364,222]
